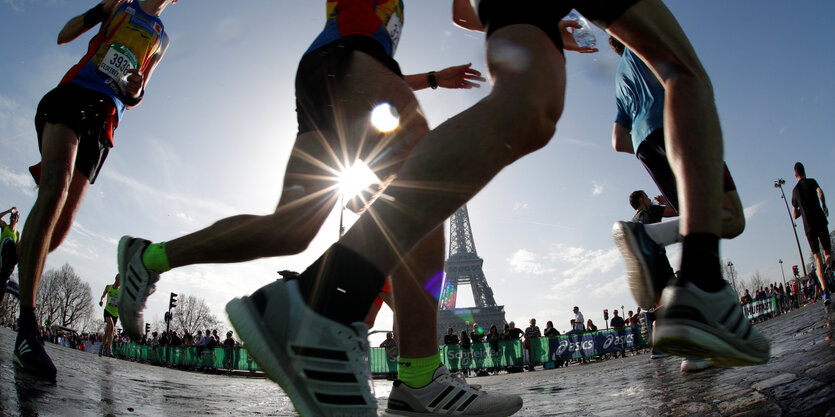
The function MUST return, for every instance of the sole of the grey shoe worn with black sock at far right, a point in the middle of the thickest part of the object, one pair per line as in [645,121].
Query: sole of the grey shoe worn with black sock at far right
[683,339]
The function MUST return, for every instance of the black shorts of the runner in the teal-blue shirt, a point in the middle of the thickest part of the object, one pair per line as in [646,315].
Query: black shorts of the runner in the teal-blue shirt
[653,155]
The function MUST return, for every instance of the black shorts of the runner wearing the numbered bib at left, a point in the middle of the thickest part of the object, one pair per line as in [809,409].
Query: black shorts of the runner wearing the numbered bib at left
[90,114]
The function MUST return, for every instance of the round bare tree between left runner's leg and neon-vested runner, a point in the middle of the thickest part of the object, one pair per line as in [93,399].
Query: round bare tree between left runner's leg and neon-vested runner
[63,298]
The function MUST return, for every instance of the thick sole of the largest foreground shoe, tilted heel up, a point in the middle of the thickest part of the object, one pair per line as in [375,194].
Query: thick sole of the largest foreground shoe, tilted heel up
[264,349]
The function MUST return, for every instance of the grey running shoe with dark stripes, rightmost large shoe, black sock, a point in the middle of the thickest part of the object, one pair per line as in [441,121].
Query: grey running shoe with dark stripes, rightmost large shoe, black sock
[698,324]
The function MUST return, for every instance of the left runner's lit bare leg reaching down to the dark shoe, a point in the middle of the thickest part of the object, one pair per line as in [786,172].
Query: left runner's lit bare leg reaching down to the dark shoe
[58,156]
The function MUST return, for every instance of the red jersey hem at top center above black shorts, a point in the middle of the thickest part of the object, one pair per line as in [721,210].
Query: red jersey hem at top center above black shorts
[381,20]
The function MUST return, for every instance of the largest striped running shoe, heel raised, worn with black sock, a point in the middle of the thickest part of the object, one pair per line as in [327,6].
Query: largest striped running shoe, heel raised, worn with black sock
[322,365]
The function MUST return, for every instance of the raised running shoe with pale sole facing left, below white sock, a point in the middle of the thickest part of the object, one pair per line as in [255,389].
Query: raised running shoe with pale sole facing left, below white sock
[640,253]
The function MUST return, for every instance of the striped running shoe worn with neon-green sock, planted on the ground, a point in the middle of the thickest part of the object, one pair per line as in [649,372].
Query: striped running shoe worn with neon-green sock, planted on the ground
[449,395]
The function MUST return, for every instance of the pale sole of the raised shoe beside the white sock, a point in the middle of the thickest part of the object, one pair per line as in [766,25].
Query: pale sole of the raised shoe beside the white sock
[637,271]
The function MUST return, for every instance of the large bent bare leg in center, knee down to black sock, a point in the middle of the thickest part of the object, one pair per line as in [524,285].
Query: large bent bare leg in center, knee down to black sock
[458,158]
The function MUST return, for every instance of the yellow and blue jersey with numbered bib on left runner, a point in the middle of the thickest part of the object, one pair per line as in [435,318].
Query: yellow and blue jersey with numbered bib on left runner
[127,41]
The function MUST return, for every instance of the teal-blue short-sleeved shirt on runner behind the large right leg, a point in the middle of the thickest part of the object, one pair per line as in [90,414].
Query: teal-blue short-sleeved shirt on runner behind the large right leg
[640,98]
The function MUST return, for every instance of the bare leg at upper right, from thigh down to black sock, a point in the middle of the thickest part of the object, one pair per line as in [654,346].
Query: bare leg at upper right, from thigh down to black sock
[693,137]
